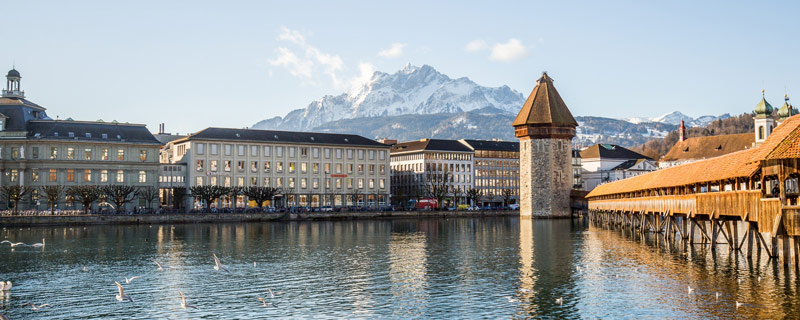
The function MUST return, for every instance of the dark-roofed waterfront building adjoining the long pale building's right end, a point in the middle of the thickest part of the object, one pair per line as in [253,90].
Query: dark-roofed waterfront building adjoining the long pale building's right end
[418,165]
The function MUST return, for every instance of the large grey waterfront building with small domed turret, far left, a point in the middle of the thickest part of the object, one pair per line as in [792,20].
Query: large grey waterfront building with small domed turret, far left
[37,151]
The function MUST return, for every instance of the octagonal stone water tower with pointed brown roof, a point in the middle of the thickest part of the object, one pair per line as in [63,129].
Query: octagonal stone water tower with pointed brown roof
[545,128]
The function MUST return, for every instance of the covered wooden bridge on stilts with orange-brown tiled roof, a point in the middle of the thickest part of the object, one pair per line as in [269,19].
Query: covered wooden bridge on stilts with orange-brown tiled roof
[707,201]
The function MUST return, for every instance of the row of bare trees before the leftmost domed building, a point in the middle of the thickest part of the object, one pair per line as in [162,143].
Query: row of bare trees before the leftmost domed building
[119,195]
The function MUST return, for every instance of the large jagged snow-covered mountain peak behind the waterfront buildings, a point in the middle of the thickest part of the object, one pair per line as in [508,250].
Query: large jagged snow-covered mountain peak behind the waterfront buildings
[412,90]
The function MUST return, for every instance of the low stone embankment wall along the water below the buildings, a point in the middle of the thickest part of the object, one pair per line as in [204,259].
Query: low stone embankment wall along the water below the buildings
[46,220]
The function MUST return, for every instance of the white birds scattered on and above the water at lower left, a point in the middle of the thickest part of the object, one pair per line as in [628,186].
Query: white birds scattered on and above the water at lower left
[5,287]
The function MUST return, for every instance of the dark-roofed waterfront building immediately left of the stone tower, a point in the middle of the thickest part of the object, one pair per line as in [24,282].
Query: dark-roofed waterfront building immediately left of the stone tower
[496,170]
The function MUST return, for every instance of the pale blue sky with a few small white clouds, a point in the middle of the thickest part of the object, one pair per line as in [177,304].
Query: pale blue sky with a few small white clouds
[195,64]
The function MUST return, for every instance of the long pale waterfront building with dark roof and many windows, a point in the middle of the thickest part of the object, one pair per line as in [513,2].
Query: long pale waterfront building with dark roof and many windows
[312,169]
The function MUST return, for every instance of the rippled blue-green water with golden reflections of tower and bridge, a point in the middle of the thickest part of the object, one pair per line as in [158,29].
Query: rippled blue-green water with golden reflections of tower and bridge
[424,268]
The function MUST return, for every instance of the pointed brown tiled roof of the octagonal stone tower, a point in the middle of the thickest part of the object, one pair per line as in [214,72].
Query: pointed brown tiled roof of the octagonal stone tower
[545,107]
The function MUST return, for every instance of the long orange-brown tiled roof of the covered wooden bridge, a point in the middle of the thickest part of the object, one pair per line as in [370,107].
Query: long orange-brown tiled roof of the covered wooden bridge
[782,143]
